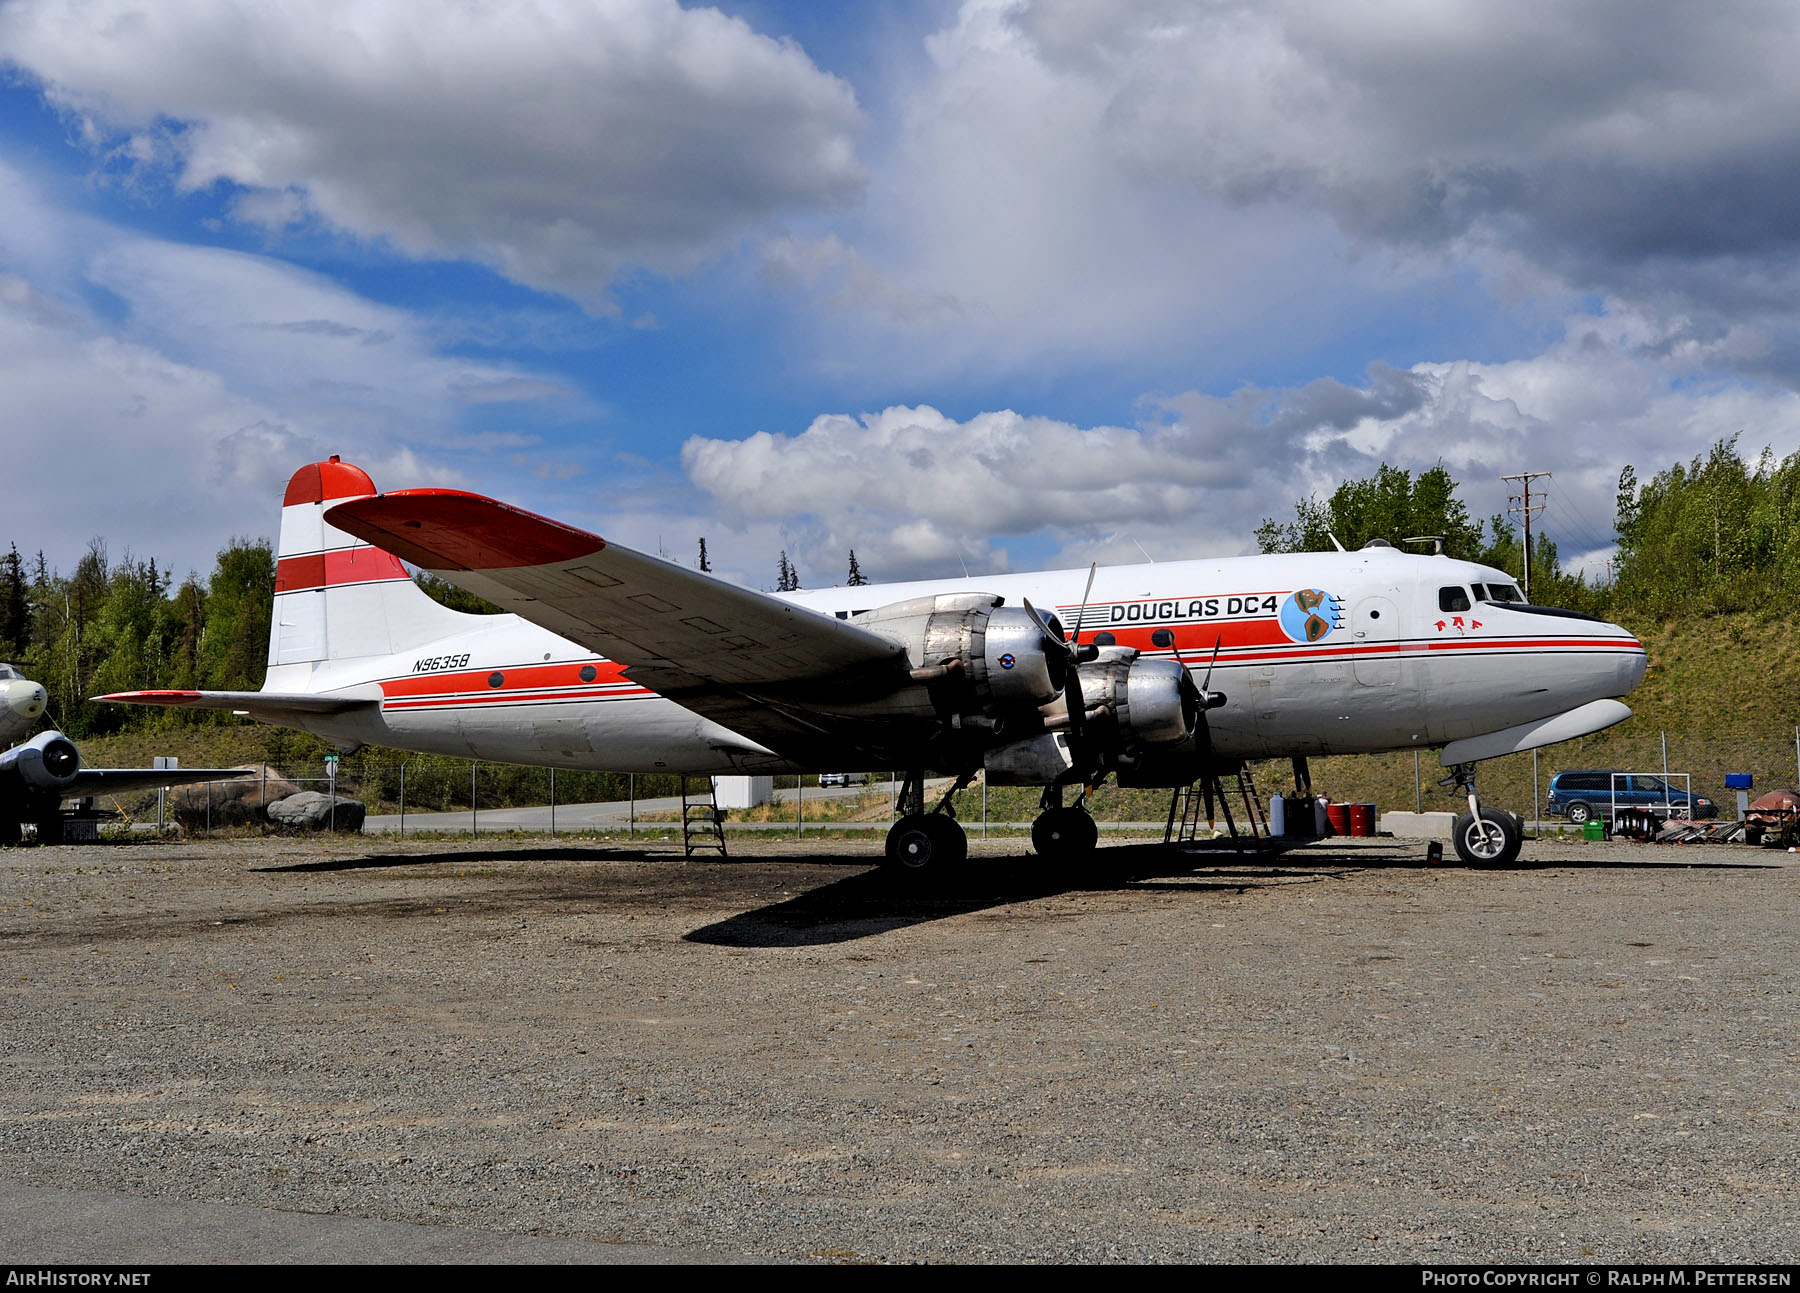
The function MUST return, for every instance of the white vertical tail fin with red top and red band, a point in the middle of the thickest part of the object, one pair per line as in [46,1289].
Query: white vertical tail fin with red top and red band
[337,597]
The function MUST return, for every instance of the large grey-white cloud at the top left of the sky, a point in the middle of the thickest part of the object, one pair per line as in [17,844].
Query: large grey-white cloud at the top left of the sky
[559,141]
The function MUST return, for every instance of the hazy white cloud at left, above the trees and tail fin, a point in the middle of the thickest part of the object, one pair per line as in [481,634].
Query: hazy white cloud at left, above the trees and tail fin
[172,419]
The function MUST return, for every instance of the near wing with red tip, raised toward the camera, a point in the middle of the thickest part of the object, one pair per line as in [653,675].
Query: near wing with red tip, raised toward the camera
[778,674]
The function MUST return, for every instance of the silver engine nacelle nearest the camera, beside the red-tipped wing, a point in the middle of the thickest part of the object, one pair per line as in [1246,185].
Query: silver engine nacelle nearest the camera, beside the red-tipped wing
[982,656]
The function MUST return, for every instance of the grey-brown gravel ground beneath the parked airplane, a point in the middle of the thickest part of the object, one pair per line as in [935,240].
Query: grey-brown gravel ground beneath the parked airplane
[1340,1054]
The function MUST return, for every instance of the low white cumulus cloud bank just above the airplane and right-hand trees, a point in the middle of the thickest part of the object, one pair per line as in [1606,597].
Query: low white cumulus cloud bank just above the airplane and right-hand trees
[915,491]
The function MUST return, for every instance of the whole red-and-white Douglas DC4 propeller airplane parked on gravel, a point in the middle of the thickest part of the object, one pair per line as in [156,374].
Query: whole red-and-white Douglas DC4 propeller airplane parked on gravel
[1153,674]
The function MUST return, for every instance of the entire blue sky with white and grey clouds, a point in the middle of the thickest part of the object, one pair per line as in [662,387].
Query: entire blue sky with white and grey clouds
[1005,284]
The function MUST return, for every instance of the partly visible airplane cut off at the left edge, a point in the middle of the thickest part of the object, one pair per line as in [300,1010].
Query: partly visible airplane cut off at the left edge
[40,773]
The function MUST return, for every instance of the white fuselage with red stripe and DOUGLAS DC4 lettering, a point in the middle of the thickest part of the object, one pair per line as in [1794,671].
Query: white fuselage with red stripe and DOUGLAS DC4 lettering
[1317,653]
